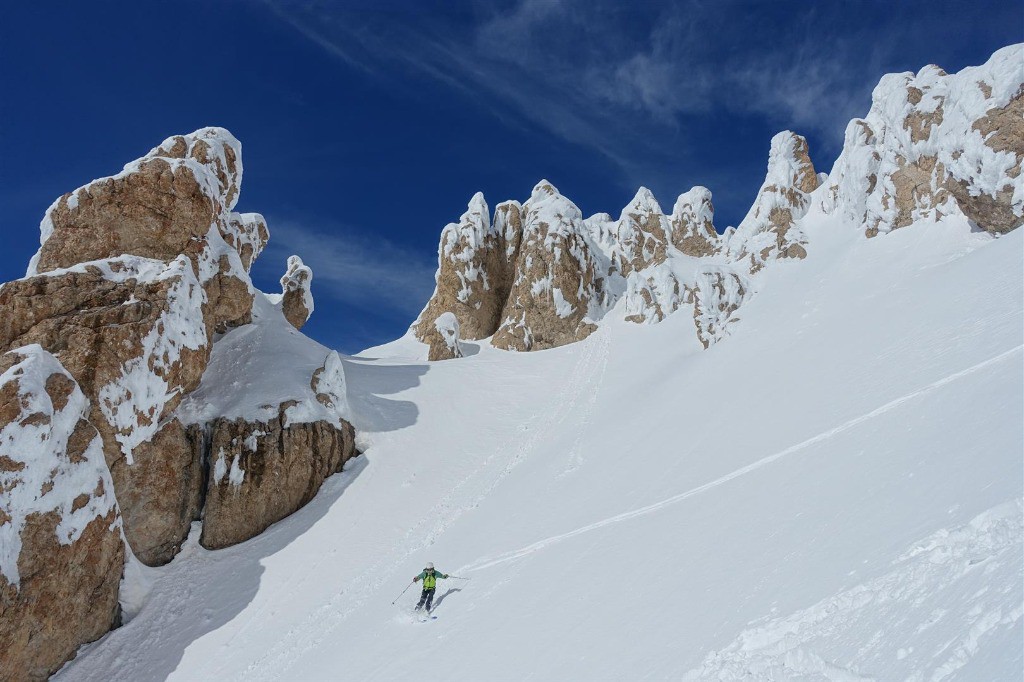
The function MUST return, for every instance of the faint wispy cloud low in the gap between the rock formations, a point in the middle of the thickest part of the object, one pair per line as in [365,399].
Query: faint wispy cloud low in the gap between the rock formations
[372,274]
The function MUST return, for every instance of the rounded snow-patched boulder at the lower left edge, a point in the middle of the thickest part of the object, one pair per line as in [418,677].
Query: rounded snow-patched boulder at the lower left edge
[61,548]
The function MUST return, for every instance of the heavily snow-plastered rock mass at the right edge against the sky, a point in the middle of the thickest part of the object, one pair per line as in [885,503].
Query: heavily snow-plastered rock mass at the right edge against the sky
[935,144]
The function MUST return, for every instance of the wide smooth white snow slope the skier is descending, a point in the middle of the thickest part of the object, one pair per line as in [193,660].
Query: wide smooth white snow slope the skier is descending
[832,493]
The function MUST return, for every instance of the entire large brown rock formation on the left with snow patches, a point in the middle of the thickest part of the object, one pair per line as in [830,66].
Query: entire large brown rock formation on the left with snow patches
[111,333]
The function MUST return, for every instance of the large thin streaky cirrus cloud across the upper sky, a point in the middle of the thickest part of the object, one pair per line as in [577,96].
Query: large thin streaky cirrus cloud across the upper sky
[582,70]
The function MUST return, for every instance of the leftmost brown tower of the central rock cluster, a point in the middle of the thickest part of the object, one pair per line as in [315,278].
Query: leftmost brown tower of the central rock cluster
[476,260]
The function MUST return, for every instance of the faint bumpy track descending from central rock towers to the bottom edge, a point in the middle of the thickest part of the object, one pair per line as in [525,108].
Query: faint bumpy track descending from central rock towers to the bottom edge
[296,644]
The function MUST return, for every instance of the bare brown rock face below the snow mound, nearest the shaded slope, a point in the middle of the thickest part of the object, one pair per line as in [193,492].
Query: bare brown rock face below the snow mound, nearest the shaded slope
[265,472]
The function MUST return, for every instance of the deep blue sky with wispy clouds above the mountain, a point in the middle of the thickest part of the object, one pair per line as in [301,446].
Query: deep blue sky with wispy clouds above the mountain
[367,126]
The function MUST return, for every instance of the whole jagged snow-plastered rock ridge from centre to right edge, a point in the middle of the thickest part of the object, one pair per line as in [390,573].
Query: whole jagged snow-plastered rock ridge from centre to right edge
[933,145]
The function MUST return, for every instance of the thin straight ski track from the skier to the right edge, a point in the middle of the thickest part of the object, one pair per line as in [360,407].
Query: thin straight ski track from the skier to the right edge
[743,472]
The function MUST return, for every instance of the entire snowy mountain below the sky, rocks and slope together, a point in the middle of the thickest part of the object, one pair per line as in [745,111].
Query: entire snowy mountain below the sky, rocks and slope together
[791,451]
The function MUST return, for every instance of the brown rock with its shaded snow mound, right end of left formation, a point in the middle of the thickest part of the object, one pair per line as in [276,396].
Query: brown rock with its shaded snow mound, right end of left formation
[274,413]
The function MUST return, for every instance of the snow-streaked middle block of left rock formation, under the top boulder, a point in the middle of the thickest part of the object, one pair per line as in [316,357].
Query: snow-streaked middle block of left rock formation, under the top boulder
[136,335]
